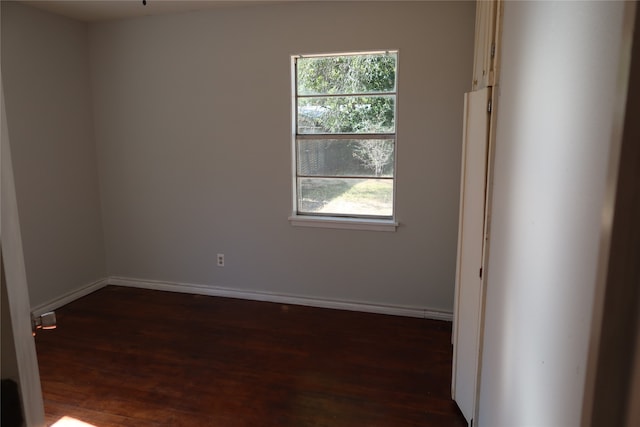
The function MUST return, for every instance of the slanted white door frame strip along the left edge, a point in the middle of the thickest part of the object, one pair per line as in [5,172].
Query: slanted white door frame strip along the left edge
[15,280]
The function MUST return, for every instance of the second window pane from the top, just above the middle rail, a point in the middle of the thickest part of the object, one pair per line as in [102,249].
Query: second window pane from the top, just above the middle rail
[346,114]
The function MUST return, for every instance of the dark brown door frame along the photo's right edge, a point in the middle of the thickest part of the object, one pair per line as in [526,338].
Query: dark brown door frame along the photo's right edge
[612,383]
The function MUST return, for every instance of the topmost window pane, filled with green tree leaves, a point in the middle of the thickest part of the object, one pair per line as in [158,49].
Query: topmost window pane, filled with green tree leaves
[347,74]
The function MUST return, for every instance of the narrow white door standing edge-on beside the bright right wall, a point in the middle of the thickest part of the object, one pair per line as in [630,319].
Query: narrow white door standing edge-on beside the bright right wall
[468,299]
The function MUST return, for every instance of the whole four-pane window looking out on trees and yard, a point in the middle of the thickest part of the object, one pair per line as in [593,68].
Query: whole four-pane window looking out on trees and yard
[345,135]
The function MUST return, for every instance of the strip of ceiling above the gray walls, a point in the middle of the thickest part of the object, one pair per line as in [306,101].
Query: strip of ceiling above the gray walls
[102,10]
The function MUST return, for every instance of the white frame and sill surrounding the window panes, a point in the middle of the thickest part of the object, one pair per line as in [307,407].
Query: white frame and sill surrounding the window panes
[370,223]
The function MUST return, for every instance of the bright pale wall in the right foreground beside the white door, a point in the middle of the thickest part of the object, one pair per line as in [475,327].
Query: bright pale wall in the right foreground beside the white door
[554,132]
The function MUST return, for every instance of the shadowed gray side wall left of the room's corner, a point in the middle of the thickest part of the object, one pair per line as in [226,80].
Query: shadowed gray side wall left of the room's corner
[45,72]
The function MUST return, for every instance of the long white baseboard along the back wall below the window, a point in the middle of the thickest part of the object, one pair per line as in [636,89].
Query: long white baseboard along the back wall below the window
[190,288]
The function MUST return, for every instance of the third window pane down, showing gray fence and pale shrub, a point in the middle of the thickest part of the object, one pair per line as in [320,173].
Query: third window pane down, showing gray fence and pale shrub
[346,157]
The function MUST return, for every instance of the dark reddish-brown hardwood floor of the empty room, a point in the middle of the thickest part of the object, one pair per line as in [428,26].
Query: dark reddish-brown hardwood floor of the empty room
[132,357]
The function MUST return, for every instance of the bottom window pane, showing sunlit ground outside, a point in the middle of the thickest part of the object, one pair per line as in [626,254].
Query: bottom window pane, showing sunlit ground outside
[346,196]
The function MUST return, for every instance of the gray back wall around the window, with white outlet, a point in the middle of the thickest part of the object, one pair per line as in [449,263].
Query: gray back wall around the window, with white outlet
[192,119]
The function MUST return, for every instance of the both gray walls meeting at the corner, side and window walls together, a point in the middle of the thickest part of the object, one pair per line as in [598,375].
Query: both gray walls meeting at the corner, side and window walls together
[191,117]
